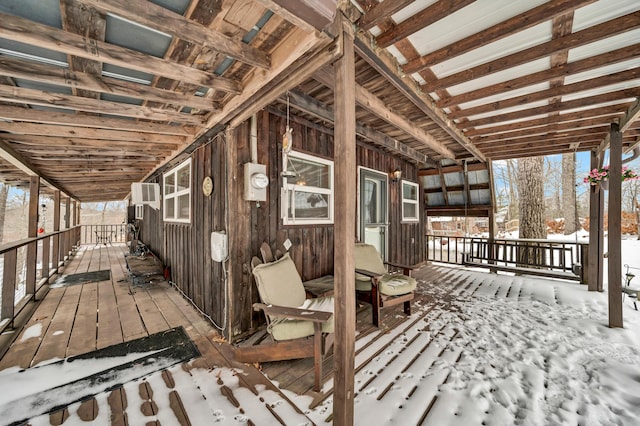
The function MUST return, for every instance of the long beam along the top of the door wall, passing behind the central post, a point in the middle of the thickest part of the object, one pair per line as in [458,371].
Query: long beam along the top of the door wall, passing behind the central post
[324,112]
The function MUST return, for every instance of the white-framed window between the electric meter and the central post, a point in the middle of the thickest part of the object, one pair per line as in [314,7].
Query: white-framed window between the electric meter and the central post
[307,193]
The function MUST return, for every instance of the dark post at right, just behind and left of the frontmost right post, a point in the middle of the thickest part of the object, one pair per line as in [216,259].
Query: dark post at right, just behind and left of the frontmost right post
[595,277]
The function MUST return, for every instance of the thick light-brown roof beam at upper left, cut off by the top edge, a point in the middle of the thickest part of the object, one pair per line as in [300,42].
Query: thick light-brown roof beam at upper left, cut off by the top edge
[161,19]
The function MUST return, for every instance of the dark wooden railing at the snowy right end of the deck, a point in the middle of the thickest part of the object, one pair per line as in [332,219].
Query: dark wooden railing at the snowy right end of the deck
[563,259]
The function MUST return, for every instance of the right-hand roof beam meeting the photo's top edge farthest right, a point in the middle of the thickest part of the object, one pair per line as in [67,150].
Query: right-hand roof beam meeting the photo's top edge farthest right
[499,31]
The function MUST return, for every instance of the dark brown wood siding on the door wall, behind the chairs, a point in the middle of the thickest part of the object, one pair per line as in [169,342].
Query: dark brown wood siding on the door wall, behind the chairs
[312,245]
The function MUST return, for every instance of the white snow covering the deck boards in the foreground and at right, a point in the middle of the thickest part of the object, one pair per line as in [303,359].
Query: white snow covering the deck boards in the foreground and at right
[495,350]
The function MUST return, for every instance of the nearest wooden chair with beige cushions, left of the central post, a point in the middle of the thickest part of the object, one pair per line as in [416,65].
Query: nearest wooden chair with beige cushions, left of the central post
[298,326]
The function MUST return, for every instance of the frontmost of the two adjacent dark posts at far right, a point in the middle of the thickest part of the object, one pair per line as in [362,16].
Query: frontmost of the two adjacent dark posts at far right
[615,228]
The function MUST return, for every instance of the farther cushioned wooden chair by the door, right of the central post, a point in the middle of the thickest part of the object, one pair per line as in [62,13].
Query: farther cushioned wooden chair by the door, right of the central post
[375,285]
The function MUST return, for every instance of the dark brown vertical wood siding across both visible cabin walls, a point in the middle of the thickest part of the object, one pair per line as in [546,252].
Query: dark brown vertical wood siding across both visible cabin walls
[185,248]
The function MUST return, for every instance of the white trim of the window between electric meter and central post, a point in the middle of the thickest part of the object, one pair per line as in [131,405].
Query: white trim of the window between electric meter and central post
[287,187]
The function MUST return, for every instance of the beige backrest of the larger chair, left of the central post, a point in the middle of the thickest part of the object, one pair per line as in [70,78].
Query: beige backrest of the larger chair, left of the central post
[279,283]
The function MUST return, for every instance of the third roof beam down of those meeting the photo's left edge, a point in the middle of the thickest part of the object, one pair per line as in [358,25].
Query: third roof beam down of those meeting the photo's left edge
[60,100]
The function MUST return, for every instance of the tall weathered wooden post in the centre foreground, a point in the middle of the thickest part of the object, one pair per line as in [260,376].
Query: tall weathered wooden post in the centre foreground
[345,218]
